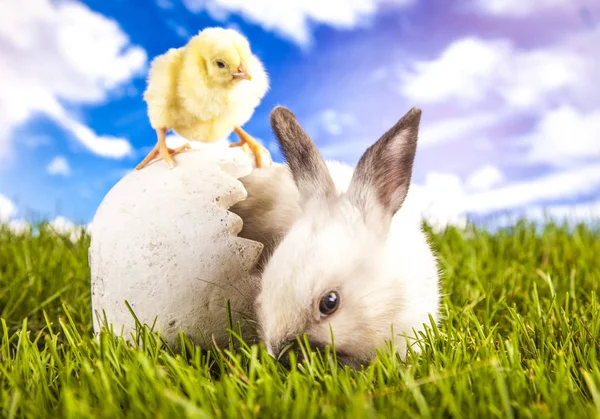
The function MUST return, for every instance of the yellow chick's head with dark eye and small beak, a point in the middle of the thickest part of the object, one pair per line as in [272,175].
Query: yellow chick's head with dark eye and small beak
[223,55]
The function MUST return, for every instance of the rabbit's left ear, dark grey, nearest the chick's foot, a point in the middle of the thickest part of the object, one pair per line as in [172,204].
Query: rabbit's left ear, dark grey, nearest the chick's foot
[303,158]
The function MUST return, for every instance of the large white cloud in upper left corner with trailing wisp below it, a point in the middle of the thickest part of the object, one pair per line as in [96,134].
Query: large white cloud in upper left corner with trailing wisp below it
[61,52]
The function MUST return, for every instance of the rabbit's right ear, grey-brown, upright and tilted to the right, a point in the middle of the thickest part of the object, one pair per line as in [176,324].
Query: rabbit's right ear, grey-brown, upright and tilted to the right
[383,173]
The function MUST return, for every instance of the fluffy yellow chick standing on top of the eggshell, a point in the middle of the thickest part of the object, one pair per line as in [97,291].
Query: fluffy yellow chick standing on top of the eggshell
[205,90]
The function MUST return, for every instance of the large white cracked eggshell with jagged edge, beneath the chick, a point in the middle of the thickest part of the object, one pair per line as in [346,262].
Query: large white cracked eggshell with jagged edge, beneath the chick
[164,241]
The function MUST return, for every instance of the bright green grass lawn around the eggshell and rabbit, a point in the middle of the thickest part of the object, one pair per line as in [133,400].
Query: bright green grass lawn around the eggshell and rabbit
[520,338]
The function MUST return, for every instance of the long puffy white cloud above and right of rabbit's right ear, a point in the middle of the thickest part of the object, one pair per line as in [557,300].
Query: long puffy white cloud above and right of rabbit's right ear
[519,79]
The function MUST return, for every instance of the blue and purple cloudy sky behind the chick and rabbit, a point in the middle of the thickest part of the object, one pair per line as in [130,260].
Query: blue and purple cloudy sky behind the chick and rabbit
[510,93]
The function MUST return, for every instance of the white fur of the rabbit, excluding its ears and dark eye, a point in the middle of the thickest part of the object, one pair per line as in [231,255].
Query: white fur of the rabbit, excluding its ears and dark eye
[382,282]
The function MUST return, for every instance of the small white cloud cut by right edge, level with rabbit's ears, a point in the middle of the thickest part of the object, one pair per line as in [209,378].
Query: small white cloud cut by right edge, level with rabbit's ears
[564,136]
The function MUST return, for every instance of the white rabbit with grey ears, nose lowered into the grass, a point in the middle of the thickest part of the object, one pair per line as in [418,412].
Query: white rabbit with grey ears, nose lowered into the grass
[335,272]
